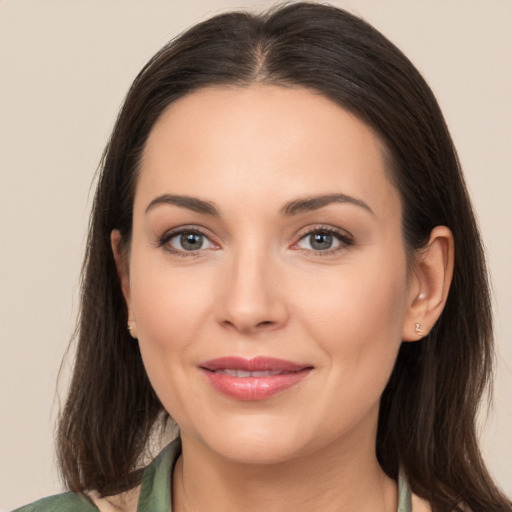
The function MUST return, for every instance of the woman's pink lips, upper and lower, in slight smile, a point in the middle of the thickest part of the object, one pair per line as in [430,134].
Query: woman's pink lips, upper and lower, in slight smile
[228,376]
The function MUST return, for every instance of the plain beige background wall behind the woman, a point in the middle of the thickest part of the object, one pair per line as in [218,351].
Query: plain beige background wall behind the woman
[64,69]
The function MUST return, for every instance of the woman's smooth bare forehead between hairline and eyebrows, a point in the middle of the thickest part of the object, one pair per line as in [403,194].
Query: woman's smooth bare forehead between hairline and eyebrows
[261,141]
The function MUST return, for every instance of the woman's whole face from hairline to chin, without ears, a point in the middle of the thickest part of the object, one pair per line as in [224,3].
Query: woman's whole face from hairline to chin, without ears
[268,284]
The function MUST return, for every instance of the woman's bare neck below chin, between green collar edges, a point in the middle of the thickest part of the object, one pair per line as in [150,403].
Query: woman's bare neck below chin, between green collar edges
[332,479]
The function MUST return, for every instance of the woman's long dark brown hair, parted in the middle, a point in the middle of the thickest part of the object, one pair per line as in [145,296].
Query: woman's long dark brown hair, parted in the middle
[429,407]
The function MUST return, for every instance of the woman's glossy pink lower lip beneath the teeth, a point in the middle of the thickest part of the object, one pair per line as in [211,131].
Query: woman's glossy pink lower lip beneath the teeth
[254,388]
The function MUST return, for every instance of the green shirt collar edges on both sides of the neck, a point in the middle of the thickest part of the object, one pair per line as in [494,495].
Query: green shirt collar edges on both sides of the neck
[156,488]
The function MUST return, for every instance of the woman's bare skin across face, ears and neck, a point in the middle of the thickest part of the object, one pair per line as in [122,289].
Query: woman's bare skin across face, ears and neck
[257,287]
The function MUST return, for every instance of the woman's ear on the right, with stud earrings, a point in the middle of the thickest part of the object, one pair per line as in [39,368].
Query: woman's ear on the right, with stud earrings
[429,284]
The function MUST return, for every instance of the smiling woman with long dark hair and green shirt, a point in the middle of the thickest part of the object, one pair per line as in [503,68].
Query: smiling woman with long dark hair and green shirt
[283,259]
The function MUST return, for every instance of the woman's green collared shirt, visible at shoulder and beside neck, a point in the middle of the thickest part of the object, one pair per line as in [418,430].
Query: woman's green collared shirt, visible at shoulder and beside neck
[155,493]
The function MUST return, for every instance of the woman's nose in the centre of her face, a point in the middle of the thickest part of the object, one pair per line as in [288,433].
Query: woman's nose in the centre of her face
[252,297]
